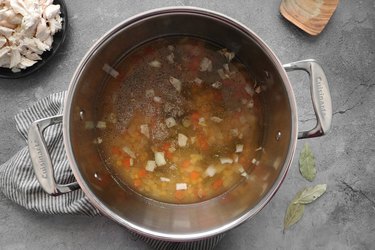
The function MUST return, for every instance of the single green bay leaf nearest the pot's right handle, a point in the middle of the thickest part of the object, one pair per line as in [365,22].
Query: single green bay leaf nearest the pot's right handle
[307,163]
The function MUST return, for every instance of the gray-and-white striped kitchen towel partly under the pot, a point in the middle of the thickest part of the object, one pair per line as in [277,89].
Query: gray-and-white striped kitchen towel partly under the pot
[18,181]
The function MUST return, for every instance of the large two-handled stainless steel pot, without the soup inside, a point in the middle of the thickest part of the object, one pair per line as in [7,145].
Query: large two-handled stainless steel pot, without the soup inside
[168,221]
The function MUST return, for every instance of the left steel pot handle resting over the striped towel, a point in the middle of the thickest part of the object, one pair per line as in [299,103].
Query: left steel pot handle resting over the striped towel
[41,158]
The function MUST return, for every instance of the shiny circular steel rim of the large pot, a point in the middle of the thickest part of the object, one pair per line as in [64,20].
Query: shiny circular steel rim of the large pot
[152,233]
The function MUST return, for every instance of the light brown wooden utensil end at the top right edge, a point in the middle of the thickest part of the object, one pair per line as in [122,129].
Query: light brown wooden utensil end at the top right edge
[309,15]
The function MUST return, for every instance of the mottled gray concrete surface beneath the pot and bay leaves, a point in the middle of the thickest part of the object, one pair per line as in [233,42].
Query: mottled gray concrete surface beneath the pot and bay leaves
[344,218]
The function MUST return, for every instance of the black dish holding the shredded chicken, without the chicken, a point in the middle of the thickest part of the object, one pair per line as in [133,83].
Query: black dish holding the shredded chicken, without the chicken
[58,40]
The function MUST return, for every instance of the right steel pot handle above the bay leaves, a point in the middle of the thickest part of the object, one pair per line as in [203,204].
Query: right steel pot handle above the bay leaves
[320,96]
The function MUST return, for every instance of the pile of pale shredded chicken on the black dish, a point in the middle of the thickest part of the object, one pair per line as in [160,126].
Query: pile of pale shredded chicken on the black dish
[26,31]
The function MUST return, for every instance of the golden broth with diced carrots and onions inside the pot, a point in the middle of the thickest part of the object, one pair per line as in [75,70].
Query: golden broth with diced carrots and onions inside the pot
[180,120]
